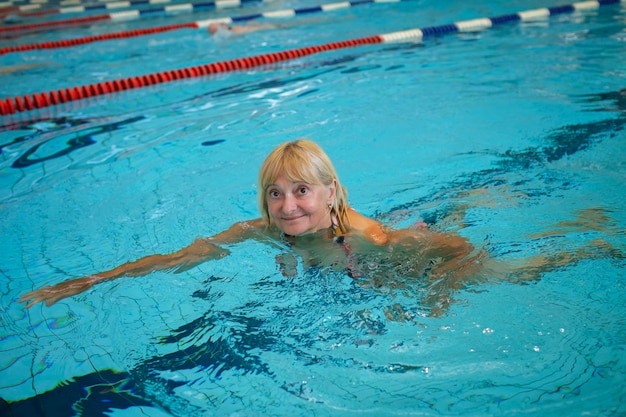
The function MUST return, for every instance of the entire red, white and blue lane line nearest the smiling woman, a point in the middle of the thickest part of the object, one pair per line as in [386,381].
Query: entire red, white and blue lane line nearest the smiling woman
[45,99]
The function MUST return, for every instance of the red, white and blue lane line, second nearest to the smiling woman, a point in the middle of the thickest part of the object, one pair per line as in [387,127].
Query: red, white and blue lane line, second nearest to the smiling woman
[189,25]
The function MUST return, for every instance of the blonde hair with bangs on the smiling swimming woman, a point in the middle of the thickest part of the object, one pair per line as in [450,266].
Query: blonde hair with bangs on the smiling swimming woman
[302,160]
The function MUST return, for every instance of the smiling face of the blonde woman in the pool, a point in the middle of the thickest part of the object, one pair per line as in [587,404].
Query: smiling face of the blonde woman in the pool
[299,208]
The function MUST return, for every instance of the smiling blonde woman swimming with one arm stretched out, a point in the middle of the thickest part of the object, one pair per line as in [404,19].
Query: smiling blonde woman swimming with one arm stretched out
[303,205]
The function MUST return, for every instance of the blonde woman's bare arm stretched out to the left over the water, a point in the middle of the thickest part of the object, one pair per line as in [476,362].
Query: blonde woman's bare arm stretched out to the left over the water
[201,250]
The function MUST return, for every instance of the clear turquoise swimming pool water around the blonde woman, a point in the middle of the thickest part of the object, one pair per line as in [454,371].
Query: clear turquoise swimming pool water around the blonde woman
[512,136]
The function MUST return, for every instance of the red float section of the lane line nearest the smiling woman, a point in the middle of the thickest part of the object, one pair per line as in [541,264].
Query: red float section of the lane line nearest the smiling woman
[51,98]
